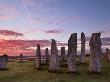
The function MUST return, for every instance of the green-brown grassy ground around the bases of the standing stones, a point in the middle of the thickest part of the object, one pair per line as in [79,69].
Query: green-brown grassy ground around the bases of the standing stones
[25,72]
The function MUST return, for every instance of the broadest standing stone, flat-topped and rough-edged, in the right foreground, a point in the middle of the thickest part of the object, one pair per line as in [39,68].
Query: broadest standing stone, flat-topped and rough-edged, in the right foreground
[95,53]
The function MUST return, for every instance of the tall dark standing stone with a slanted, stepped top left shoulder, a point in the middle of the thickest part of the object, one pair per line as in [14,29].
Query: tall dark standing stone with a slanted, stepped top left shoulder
[72,53]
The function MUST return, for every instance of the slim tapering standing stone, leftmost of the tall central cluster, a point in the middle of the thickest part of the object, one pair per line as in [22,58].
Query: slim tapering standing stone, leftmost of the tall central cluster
[38,57]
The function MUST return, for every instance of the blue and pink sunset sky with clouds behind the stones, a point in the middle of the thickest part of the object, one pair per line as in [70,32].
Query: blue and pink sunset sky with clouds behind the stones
[26,23]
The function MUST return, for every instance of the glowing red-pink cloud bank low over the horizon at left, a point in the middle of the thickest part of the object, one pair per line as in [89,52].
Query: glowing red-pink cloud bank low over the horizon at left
[14,47]
